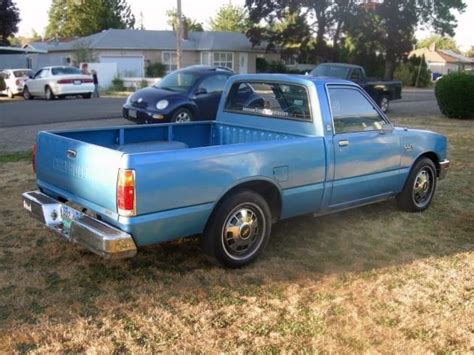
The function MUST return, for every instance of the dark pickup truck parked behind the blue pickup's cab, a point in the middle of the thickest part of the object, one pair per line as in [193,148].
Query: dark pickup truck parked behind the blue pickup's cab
[382,91]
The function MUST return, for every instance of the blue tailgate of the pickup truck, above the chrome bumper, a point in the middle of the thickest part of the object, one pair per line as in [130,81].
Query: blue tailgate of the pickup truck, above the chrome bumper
[78,171]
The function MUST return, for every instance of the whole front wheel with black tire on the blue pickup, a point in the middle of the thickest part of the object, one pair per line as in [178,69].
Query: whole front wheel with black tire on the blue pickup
[419,188]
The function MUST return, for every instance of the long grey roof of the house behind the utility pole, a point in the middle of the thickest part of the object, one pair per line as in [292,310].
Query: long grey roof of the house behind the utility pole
[157,40]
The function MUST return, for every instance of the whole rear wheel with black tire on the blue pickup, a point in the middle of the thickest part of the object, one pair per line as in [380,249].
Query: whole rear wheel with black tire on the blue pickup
[249,215]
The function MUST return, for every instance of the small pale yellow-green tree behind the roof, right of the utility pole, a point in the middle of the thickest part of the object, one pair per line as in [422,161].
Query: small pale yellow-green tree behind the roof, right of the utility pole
[230,18]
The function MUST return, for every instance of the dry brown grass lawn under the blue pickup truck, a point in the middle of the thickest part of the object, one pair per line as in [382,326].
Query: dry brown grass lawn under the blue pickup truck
[370,280]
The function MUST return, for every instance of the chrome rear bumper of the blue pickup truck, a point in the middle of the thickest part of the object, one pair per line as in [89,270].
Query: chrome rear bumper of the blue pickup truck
[97,236]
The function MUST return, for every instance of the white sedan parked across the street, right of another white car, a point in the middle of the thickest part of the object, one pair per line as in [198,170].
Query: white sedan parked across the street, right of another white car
[60,81]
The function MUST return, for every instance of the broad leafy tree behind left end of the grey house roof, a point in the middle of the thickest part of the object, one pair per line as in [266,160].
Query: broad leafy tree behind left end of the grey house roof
[70,18]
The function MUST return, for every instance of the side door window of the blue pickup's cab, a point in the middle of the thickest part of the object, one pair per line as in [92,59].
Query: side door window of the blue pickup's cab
[352,111]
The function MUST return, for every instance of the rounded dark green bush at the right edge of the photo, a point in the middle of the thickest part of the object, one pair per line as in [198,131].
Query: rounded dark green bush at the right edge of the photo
[455,95]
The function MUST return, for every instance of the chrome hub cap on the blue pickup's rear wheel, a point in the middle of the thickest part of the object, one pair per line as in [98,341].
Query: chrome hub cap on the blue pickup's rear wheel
[241,231]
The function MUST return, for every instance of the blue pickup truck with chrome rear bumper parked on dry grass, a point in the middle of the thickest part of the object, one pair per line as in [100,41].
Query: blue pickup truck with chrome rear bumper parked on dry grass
[281,146]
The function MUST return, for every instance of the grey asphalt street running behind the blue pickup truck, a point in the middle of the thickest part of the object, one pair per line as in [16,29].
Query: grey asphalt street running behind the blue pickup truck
[21,120]
